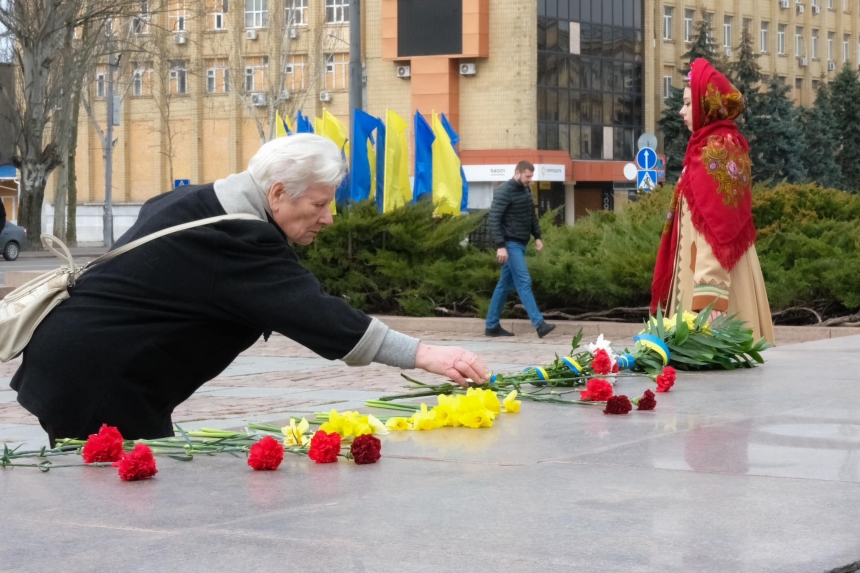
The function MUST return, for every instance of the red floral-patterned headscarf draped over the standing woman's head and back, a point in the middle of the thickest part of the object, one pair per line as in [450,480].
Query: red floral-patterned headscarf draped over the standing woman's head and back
[715,183]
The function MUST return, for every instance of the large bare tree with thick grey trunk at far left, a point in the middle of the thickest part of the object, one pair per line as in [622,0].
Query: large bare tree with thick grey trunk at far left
[40,29]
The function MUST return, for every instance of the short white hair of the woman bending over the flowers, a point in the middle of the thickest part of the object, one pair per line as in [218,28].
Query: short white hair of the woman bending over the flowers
[297,162]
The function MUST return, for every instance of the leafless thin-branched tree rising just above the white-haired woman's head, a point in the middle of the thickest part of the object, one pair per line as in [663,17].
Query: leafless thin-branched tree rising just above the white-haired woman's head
[269,72]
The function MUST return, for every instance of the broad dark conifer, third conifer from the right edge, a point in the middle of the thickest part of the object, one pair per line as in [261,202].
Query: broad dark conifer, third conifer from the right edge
[778,145]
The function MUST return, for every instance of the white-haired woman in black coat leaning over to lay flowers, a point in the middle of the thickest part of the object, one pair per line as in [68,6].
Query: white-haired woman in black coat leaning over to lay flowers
[141,333]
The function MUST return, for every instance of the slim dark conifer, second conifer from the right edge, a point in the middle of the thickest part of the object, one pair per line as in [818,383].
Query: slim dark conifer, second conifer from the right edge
[821,134]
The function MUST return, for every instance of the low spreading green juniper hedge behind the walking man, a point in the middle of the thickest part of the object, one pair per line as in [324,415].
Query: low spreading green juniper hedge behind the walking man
[410,263]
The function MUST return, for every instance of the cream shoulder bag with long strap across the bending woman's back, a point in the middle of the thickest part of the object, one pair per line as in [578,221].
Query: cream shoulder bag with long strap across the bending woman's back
[23,309]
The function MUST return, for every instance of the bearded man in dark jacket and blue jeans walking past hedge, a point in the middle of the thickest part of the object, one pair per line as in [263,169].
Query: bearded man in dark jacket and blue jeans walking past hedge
[513,222]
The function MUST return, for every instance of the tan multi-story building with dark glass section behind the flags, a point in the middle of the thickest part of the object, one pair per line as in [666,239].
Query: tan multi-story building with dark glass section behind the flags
[569,84]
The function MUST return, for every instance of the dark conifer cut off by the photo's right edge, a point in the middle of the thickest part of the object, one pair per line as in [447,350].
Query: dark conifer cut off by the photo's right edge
[846,98]
